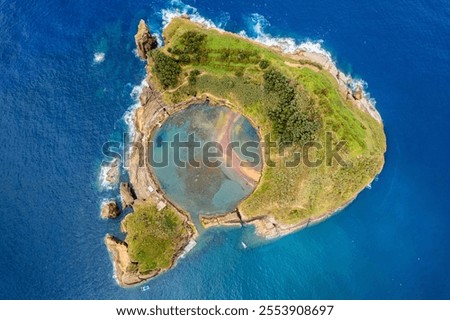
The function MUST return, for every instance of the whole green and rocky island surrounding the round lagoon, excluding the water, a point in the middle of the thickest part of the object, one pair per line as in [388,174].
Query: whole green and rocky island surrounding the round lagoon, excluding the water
[295,97]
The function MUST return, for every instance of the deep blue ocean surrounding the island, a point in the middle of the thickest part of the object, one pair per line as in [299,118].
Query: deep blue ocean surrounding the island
[58,107]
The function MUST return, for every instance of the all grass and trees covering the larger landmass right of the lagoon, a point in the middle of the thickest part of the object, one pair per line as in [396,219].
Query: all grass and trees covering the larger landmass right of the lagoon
[289,98]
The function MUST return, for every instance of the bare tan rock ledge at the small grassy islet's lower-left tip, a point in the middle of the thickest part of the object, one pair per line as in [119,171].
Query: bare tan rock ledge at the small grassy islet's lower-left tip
[126,271]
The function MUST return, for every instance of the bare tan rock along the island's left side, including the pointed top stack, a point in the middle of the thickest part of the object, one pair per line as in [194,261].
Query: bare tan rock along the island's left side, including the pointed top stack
[142,188]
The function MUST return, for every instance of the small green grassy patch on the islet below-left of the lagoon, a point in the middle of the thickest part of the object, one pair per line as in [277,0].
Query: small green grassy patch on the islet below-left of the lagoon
[154,237]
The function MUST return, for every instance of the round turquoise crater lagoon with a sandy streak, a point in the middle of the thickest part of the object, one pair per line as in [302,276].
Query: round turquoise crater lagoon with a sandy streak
[206,159]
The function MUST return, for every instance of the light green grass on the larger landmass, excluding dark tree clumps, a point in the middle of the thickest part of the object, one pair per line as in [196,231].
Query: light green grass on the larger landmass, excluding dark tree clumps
[289,194]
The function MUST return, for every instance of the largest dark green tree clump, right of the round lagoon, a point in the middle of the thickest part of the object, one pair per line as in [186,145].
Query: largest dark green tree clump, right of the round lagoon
[293,119]
